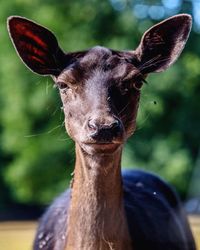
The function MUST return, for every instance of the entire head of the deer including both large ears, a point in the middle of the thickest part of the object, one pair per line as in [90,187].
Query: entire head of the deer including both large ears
[100,88]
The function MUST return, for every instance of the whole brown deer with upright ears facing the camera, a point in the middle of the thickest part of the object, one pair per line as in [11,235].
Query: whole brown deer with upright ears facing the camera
[106,208]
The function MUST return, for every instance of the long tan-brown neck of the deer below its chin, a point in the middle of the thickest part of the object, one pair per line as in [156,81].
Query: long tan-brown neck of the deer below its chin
[96,219]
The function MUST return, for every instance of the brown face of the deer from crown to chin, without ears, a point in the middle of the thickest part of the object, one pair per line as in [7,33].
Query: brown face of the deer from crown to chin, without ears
[100,94]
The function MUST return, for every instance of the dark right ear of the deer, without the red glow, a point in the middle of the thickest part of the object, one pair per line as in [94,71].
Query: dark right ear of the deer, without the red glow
[162,44]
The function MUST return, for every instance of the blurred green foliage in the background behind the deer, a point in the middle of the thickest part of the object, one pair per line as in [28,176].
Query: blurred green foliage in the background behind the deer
[36,154]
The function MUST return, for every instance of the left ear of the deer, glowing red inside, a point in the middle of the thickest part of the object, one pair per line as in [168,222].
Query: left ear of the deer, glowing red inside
[36,46]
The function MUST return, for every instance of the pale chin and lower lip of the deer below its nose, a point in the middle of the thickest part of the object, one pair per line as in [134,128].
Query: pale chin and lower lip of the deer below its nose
[105,148]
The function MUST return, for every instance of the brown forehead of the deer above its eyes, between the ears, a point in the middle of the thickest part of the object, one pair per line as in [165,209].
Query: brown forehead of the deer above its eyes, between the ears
[99,66]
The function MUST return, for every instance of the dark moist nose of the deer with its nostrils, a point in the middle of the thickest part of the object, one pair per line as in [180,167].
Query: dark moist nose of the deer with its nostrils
[104,131]
